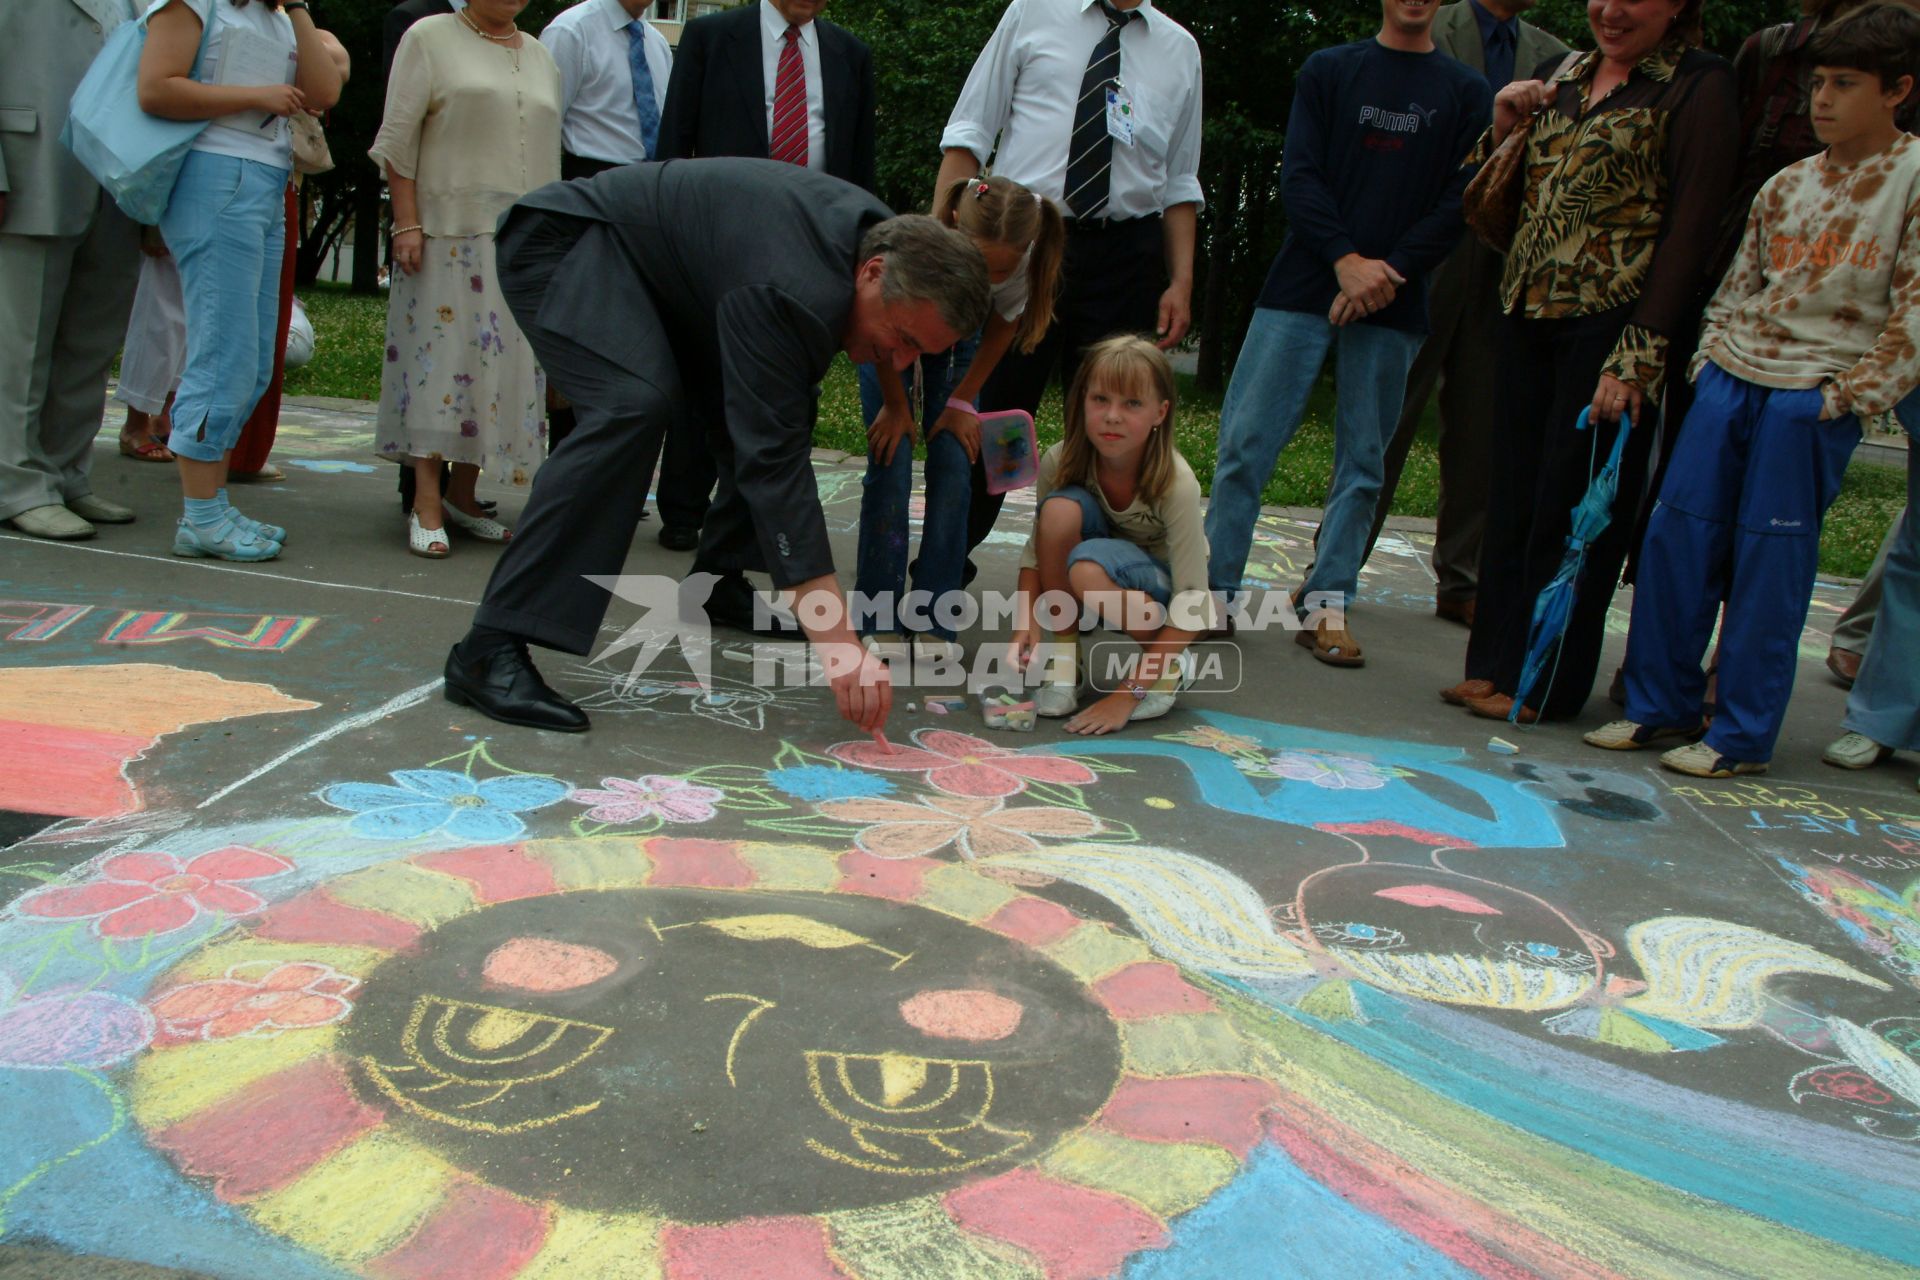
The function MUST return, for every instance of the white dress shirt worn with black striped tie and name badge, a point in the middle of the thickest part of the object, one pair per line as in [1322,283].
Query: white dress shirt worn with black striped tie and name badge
[1026,83]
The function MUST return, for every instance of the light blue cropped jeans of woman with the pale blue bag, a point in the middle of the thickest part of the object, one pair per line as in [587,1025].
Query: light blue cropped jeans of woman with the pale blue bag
[226,227]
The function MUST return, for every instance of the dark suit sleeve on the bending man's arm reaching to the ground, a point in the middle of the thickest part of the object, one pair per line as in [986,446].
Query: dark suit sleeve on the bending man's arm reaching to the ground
[773,352]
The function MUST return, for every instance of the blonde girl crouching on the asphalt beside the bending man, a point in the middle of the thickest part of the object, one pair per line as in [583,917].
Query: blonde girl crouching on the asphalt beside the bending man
[1116,540]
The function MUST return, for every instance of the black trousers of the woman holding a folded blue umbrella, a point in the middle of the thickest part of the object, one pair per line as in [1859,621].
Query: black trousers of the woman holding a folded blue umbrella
[1541,469]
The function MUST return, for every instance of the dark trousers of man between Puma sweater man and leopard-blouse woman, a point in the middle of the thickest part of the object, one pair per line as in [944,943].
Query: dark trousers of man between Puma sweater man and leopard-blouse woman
[1460,360]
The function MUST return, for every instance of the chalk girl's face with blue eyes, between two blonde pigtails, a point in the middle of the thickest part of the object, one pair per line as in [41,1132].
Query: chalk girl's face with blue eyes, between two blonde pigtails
[1439,936]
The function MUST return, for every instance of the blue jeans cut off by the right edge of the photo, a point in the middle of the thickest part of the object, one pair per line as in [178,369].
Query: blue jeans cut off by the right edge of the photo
[1886,699]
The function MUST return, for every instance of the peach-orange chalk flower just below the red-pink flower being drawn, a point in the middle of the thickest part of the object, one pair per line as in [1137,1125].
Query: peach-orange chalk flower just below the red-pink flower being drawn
[978,828]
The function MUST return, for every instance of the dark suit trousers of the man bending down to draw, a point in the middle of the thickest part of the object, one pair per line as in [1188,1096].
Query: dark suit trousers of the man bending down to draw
[588,498]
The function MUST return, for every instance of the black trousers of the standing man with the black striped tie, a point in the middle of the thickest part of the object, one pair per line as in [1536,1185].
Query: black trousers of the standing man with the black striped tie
[1111,285]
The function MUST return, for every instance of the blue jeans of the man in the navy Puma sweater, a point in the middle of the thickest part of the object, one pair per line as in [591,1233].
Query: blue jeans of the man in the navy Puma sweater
[1268,396]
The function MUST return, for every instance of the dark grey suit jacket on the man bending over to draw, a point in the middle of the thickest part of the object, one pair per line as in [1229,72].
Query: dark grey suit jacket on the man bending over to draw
[748,266]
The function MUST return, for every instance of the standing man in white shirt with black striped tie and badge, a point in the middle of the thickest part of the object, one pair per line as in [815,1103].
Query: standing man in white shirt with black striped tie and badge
[1095,107]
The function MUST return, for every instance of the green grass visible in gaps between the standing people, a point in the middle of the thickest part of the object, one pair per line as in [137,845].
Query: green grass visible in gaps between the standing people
[352,341]
